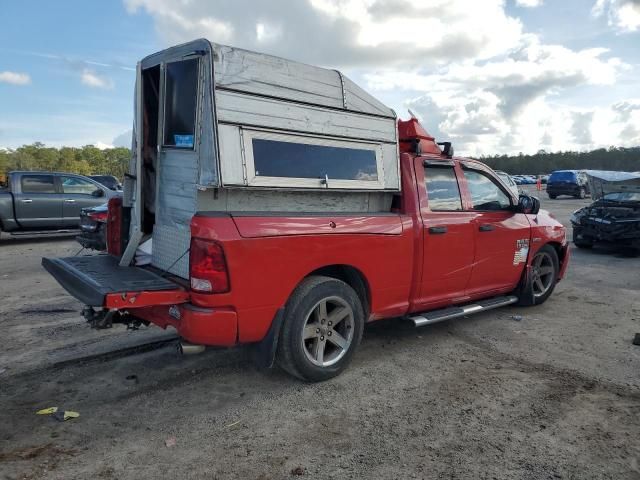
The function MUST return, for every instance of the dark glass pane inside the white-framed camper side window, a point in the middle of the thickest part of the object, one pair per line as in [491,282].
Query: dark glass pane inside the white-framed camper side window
[274,158]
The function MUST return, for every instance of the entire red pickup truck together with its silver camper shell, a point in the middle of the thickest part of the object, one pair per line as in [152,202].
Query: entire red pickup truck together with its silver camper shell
[294,209]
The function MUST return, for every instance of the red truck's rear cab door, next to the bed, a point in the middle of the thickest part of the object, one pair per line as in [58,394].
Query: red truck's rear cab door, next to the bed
[448,232]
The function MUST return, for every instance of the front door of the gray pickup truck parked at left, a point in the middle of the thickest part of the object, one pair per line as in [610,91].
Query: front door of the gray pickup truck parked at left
[78,193]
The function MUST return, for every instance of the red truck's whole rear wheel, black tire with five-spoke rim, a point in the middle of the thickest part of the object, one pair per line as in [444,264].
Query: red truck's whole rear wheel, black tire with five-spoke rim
[298,355]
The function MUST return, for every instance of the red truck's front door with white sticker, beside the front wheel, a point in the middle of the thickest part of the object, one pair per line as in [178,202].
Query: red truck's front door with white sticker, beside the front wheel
[501,235]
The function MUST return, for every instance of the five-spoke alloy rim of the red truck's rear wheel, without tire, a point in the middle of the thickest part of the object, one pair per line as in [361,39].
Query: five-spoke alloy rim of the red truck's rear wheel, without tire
[328,331]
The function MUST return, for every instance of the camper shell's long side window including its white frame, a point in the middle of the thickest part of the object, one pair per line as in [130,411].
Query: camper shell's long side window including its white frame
[300,161]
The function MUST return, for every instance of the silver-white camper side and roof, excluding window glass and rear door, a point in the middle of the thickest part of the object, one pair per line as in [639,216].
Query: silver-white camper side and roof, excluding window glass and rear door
[248,95]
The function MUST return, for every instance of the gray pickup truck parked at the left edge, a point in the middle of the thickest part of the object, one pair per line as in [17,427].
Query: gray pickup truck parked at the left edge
[39,202]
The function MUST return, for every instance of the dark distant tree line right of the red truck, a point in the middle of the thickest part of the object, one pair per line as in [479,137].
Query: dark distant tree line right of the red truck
[612,158]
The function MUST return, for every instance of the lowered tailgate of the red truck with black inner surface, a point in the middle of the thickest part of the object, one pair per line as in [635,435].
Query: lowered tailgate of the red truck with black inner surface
[92,278]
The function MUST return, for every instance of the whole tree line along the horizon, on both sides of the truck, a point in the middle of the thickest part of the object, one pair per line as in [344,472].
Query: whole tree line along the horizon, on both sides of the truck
[90,160]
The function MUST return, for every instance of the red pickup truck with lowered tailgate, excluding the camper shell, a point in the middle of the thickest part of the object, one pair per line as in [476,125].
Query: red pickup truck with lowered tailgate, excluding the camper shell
[302,287]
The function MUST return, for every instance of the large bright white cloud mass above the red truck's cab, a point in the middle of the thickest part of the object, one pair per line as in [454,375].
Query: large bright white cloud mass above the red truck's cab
[467,67]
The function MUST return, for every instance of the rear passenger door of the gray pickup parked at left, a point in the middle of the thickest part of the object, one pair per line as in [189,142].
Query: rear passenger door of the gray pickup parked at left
[38,205]
